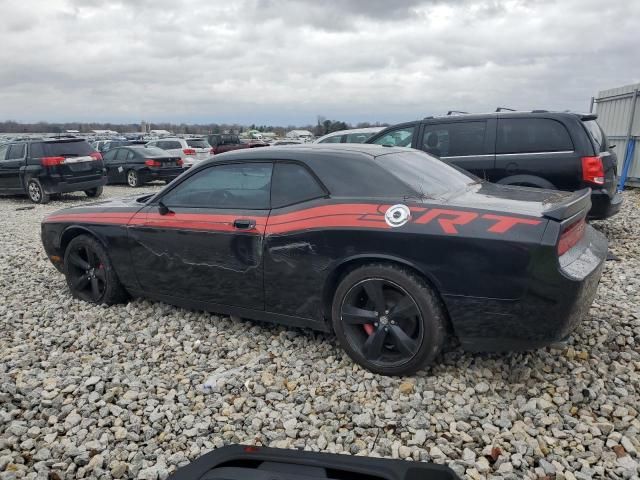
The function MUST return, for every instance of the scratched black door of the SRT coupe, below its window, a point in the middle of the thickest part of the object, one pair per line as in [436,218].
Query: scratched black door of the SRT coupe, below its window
[199,254]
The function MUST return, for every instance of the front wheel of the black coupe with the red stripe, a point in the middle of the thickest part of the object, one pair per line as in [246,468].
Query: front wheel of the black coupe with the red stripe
[90,274]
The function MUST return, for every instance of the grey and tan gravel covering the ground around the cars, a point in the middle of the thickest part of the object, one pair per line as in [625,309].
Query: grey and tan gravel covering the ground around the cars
[135,391]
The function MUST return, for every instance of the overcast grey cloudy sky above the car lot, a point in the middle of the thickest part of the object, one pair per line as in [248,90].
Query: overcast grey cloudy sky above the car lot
[285,61]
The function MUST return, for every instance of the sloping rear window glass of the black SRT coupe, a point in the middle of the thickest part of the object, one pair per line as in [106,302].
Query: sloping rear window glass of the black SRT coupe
[425,174]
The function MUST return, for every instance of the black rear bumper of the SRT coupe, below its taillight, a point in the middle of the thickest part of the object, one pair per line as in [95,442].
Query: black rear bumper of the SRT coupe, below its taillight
[555,303]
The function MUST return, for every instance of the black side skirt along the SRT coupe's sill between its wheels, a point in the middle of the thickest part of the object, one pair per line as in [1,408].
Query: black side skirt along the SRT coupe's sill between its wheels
[241,312]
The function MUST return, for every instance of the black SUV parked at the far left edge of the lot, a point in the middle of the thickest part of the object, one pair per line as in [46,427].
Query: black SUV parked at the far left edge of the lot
[44,167]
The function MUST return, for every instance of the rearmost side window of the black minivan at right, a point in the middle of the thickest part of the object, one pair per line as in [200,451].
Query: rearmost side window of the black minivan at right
[527,135]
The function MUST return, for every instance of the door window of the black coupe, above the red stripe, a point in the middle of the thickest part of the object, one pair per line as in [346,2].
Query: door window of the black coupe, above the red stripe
[238,186]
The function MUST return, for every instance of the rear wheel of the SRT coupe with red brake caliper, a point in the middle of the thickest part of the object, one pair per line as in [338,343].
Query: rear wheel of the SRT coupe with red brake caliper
[384,342]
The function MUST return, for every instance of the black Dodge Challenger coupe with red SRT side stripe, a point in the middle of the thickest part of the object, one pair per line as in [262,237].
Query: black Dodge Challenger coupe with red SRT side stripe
[389,248]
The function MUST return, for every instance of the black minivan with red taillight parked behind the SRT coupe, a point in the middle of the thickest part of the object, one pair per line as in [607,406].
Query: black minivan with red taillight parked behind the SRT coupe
[554,150]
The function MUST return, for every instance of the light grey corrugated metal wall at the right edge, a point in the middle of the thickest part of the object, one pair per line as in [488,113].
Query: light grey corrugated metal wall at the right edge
[619,116]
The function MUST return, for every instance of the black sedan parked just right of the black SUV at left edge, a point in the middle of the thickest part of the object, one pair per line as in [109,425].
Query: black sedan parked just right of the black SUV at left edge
[138,164]
